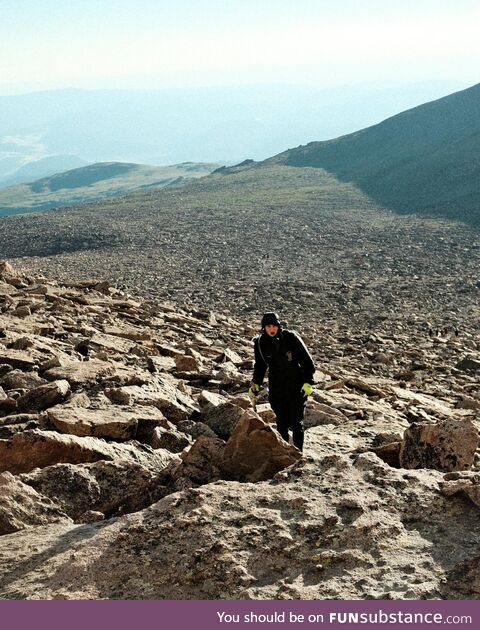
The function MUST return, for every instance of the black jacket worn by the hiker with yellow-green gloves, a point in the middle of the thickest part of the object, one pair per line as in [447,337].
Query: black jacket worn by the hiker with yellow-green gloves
[288,361]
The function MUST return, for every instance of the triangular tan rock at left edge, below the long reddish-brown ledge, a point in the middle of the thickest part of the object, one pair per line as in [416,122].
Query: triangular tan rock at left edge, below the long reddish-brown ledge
[22,506]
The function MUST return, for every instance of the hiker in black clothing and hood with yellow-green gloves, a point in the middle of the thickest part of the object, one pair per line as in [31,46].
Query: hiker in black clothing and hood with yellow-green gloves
[290,375]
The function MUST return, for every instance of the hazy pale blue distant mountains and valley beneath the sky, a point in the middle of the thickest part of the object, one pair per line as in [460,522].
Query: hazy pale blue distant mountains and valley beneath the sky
[225,125]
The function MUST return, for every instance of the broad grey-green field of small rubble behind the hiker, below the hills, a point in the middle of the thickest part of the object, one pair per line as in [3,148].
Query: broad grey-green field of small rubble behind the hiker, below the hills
[267,237]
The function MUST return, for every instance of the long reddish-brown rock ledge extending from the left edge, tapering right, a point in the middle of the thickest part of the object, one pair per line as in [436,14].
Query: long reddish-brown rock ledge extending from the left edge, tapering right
[37,449]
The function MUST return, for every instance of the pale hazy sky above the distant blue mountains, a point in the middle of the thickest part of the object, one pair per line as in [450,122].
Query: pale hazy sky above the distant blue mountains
[47,44]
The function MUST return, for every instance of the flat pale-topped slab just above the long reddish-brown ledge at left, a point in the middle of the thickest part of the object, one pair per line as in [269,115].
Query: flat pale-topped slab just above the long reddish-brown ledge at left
[117,422]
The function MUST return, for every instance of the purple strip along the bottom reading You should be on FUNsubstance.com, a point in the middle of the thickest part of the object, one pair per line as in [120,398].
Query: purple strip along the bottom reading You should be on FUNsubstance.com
[206,615]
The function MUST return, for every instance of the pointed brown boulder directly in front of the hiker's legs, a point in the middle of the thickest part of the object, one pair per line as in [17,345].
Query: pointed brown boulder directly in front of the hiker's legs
[255,451]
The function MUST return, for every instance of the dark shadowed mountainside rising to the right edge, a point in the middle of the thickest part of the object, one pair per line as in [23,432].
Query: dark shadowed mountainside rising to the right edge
[425,160]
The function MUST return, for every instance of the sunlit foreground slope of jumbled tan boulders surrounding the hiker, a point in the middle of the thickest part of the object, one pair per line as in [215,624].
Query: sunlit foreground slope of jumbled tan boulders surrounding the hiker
[132,467]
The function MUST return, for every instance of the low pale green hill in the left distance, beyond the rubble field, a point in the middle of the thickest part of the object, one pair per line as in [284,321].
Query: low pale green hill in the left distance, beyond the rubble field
[92,183]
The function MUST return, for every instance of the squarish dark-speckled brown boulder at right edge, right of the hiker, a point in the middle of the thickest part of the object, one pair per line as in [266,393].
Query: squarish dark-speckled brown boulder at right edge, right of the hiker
[447,446]
